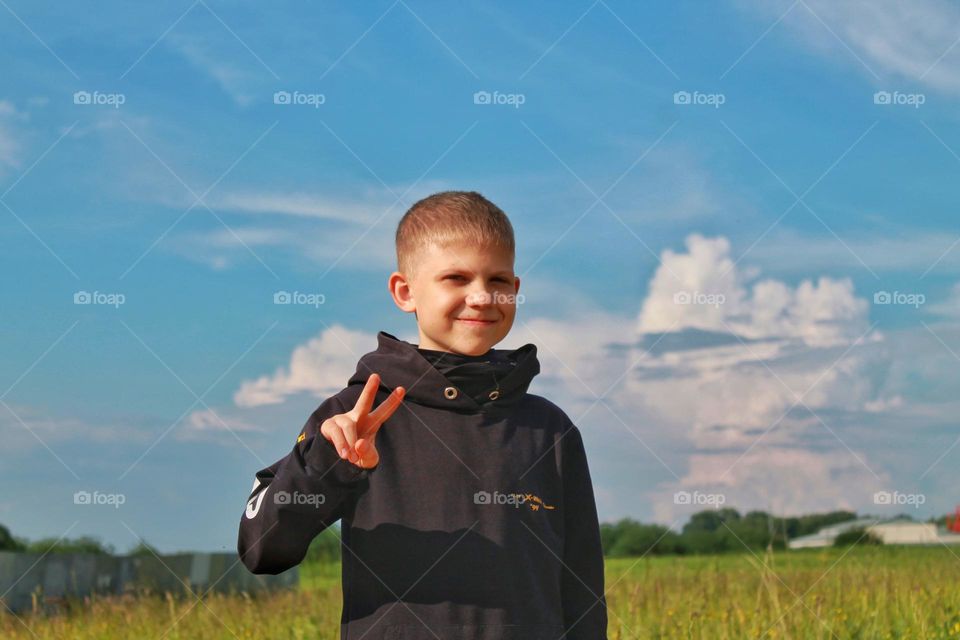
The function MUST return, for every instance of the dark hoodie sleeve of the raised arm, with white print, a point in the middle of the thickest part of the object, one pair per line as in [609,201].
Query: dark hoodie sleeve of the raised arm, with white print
[297,497]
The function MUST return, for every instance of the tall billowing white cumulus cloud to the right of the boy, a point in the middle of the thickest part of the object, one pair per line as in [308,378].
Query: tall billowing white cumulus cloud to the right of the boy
[747,375]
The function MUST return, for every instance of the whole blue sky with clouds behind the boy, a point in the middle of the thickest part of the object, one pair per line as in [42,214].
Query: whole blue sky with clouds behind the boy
[146,153]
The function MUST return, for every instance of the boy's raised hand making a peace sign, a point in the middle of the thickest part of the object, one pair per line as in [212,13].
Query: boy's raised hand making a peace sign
[354,433]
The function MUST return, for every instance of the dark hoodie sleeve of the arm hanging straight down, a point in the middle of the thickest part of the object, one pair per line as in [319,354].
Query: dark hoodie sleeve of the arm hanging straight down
[582,588]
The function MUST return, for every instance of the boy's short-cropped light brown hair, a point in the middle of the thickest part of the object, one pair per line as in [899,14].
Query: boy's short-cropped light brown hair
[447,217]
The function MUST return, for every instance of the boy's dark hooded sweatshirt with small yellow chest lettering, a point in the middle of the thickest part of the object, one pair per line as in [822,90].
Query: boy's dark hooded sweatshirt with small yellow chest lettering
[478,523]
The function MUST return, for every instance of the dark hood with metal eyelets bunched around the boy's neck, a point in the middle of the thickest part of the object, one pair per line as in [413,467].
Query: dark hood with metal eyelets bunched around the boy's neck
[400,364]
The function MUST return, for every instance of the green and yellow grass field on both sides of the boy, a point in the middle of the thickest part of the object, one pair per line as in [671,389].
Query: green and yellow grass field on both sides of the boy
[876,592]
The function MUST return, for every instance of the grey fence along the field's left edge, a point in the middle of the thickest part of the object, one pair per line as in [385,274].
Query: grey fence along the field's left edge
[56,577]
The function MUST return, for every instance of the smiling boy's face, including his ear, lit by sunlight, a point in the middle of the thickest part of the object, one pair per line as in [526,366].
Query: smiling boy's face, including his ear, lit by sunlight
[464,297]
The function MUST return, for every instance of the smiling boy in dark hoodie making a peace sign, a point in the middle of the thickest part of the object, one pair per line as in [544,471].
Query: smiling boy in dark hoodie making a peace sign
[466,503]
